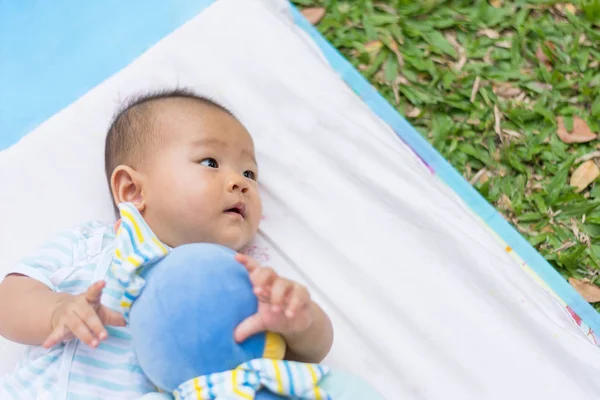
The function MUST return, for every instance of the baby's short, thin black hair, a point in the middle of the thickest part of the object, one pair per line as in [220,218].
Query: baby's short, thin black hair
[131,135]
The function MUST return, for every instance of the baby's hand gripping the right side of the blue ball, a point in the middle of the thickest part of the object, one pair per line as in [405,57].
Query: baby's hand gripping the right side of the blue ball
[283,305]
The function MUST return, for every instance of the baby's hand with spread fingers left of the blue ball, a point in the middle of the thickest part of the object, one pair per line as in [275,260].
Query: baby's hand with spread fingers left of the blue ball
[83,317]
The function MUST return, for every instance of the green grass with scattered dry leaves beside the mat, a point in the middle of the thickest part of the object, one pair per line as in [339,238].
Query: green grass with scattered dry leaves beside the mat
[530,61]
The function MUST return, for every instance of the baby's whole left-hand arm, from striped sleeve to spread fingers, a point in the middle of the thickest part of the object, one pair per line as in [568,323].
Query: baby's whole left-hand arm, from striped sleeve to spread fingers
[33,310]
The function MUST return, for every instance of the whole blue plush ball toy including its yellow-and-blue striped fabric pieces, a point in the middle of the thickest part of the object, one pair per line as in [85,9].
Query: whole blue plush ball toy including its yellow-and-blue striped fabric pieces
[183,306]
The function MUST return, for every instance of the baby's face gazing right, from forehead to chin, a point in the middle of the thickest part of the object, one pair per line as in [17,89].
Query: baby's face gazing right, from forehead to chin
[201,186]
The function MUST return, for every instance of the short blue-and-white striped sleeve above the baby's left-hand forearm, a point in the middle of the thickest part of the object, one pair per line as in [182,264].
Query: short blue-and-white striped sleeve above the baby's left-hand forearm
[52,262]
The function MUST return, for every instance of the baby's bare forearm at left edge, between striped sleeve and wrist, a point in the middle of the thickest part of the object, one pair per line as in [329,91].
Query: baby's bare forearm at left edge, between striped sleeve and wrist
[26,309]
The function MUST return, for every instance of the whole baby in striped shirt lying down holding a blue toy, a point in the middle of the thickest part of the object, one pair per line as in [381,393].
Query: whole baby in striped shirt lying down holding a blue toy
[188,165]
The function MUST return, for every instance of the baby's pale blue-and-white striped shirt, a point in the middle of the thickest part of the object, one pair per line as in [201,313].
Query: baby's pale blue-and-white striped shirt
[74,371]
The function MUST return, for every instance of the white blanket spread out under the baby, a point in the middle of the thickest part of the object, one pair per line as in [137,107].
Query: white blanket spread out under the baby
[426,304]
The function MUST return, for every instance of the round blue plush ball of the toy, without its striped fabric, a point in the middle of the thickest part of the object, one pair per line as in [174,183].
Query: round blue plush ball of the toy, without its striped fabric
[183,322]
